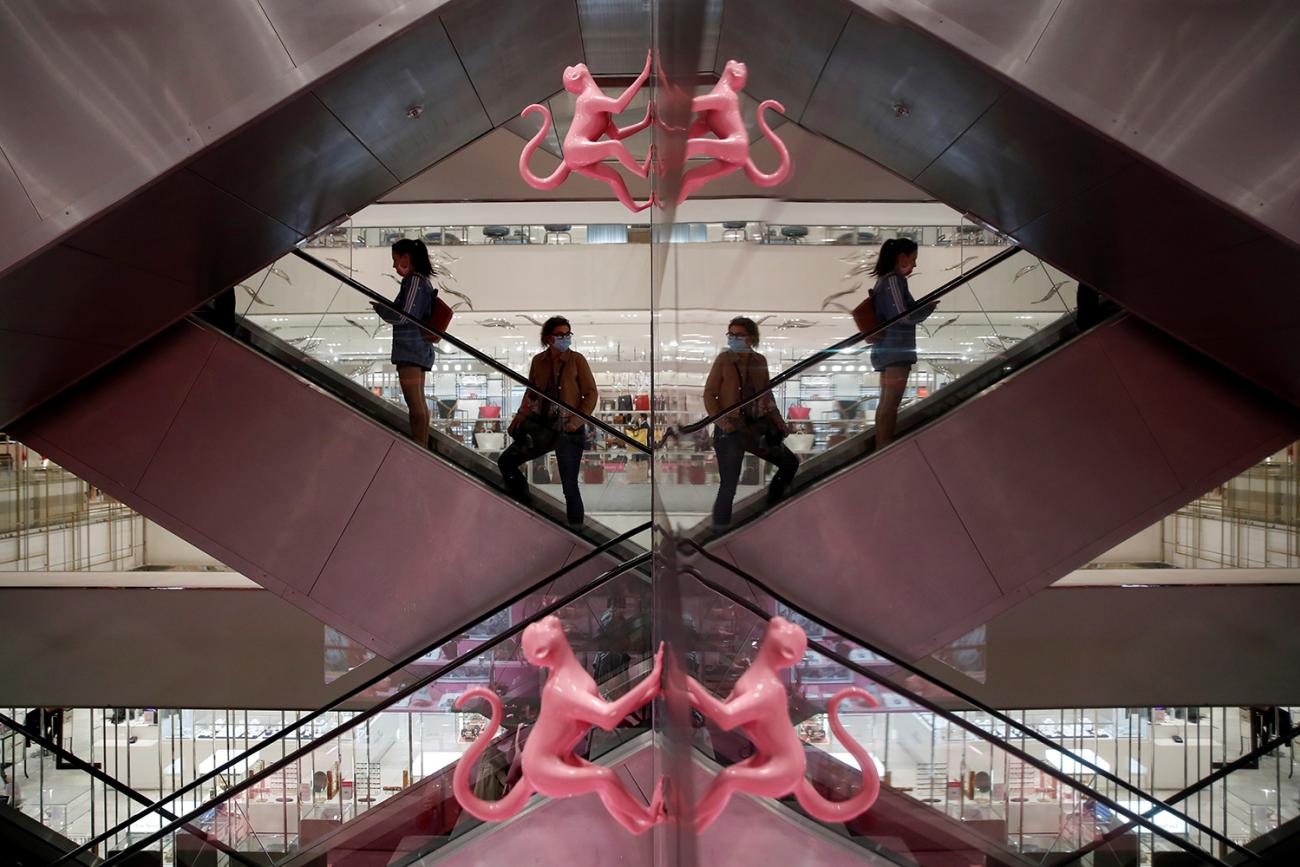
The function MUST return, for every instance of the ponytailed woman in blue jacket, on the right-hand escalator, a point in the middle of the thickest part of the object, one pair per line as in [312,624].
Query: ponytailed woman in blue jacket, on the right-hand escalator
[896,352]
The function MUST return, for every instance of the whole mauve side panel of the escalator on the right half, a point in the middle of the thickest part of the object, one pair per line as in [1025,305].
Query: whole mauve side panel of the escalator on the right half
[1037,476]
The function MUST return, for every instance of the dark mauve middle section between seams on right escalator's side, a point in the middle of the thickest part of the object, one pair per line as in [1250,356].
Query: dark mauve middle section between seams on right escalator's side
[1035,470]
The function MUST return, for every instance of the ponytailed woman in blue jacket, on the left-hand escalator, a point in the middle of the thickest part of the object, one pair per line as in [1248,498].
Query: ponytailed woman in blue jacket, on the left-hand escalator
[411,353]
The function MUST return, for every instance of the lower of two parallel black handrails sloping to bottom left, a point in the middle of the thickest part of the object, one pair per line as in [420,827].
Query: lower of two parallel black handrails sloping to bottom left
[275,768]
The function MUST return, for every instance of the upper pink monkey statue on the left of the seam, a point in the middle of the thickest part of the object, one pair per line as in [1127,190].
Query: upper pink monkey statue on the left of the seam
[584,150]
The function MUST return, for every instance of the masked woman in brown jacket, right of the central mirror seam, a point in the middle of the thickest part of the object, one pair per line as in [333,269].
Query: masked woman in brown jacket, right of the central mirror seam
[738,375]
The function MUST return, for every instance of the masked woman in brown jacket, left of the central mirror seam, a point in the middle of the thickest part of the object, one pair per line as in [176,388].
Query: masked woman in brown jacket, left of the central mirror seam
[540,427]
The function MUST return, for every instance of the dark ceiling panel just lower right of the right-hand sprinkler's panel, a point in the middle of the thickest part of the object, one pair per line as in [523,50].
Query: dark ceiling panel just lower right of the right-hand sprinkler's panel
[1019,162]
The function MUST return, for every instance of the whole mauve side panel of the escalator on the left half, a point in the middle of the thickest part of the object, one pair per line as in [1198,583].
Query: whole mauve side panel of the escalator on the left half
[359,530]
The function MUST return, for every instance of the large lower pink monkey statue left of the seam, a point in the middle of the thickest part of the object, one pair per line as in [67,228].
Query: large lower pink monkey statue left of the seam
[571,706]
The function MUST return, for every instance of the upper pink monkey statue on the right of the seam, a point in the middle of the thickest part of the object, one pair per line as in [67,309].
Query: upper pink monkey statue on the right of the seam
[718,112]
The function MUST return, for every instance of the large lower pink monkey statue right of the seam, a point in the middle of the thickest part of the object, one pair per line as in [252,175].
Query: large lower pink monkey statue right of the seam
[760,706]
